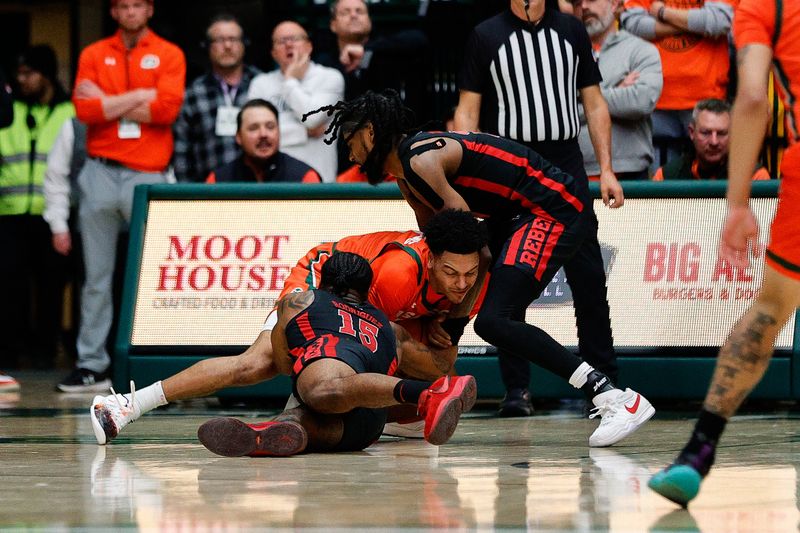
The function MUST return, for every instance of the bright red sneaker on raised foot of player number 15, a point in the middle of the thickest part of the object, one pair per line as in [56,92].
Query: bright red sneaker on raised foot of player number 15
[442,405]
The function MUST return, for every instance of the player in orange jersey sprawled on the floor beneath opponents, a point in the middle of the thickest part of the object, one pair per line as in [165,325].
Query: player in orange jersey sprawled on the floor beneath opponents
[418,276]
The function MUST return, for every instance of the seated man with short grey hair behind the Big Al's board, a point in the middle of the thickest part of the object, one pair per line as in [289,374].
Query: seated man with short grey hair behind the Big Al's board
[709,131]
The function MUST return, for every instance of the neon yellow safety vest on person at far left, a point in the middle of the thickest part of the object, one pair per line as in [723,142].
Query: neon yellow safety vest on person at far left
[23,155]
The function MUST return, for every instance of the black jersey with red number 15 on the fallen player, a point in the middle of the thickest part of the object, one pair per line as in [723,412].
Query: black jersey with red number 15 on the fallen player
[342,326]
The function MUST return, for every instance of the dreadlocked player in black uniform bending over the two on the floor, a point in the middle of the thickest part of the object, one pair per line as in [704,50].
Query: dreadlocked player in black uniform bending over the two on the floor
[537,217]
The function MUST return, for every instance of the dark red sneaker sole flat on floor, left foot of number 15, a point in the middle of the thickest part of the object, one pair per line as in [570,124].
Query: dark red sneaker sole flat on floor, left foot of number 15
[233,438]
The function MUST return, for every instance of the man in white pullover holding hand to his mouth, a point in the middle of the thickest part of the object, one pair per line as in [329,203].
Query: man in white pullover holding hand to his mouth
[296,87]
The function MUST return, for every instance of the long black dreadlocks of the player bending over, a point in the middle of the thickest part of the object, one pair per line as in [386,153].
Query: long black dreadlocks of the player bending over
[390,120]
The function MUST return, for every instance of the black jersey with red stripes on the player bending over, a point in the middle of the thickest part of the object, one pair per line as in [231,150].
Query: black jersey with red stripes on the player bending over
[500,179]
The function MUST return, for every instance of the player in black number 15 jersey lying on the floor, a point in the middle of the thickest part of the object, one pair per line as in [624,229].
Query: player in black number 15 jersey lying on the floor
[339,350]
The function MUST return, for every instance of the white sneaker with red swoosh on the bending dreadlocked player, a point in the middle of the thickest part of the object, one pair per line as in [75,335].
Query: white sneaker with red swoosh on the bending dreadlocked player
[622,413]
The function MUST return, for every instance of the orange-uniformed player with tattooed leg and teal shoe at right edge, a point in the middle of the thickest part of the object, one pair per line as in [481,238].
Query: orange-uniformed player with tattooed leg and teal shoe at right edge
[766,33]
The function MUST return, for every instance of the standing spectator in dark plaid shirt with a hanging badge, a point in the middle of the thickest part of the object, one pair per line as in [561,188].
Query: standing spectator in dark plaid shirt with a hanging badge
[206,126]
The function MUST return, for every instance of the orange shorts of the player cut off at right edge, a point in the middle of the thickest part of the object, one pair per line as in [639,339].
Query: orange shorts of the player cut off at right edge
[783,252]
